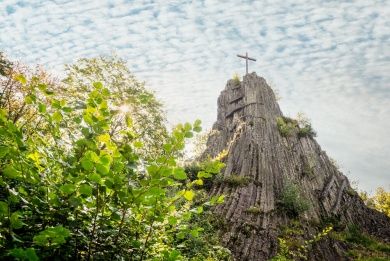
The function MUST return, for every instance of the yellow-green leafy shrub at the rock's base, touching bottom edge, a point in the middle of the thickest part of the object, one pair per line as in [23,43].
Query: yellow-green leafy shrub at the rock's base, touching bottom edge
[292,246]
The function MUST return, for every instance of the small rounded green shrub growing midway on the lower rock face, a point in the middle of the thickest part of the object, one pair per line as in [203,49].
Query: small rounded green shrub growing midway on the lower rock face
[292,201]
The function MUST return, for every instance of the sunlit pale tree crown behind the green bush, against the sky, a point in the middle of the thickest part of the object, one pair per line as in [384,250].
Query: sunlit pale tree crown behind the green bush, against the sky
[128,95]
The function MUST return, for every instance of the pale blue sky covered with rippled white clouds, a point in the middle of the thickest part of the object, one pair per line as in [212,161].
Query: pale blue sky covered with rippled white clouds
[328,59]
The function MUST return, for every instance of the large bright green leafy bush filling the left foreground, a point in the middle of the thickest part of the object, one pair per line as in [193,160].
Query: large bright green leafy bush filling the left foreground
[91,194]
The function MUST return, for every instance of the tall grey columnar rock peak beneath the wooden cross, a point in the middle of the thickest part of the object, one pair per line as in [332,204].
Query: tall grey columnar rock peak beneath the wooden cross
[246,127]
